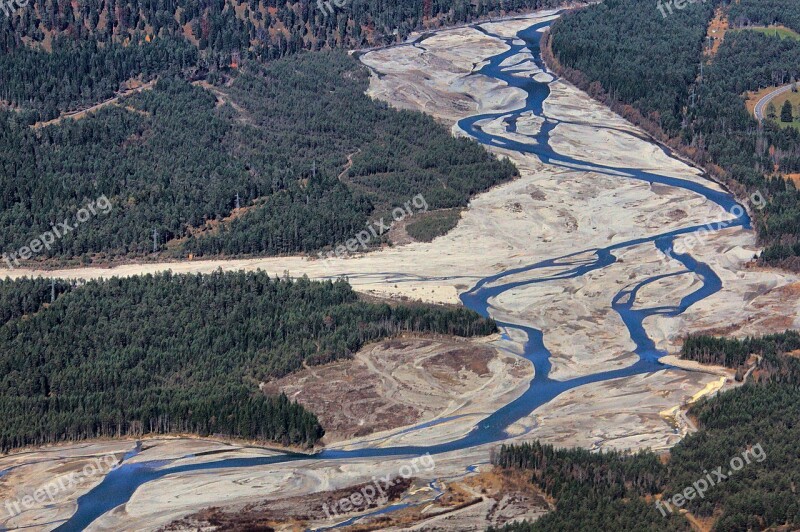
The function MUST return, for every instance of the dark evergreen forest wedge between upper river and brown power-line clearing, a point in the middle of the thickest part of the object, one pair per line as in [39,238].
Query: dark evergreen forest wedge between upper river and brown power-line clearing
[641,59]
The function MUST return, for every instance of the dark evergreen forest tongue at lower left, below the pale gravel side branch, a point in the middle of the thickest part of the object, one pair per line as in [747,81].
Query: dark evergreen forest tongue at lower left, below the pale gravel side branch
[182,353]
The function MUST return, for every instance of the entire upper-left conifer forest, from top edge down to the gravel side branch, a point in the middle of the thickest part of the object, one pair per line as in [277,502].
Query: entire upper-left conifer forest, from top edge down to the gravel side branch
[226,123]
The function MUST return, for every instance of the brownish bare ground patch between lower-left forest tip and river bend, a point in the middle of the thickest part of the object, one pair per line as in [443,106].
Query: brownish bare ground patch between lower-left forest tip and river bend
[392,384]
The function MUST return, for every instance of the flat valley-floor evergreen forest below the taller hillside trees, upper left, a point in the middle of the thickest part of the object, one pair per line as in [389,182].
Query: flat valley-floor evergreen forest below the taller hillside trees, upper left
[278,135]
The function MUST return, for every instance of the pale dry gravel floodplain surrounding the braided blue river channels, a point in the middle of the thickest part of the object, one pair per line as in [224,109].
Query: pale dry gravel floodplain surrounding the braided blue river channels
[550,211]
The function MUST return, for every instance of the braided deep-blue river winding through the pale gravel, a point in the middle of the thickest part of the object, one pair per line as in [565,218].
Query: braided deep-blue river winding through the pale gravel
[119,485]
